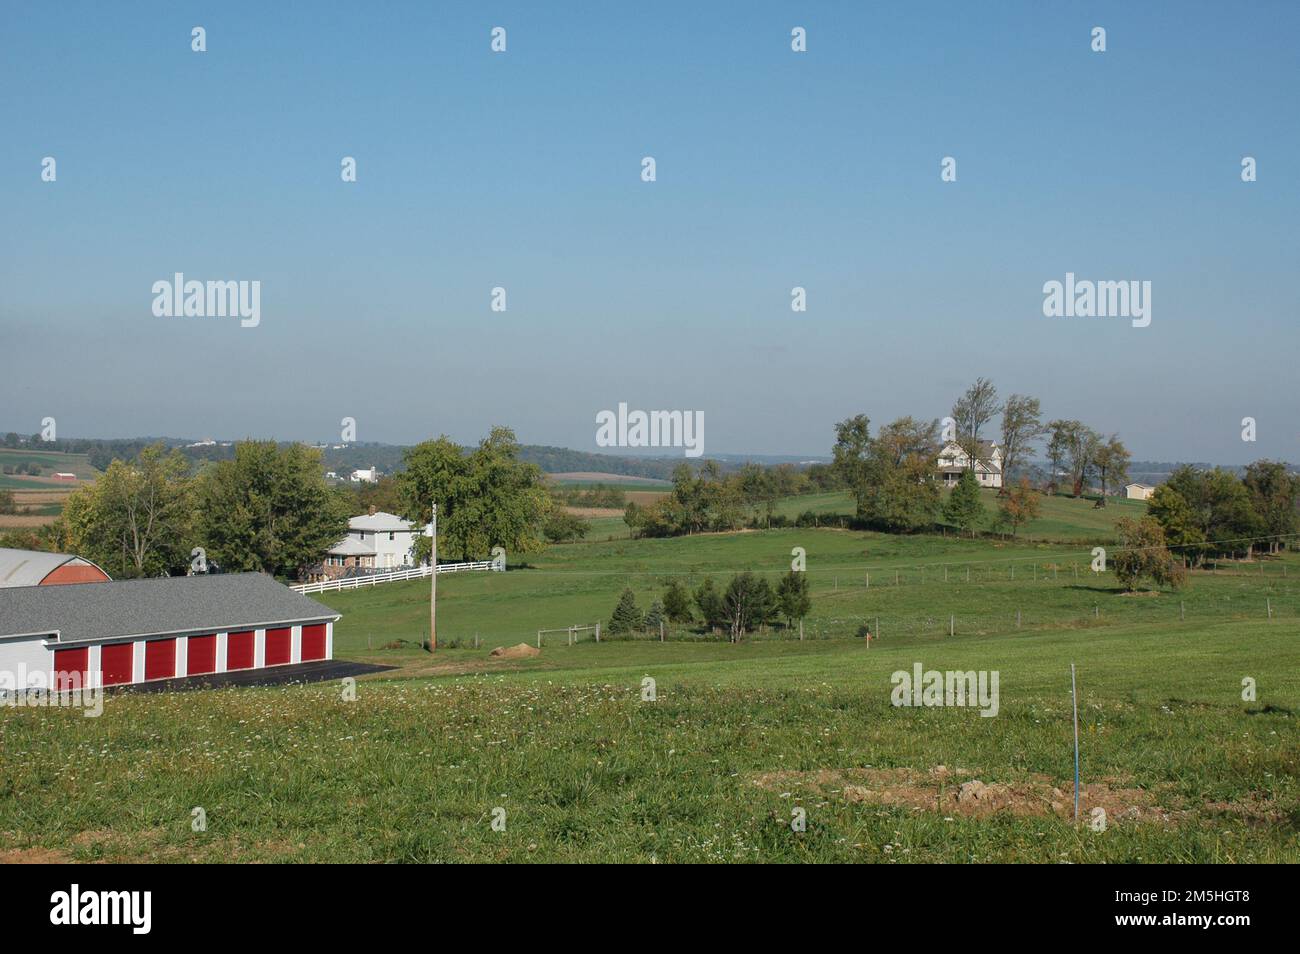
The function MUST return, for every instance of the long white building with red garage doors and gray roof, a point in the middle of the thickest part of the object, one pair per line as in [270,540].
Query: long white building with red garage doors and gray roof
[138,631]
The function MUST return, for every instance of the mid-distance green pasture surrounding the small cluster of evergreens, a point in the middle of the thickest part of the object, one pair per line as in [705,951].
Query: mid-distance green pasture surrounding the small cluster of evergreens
[911,584]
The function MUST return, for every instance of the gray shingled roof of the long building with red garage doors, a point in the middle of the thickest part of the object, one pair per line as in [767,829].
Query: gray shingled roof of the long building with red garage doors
[146,608]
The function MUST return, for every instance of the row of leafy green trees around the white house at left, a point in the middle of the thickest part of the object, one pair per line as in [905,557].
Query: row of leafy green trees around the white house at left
[268,508]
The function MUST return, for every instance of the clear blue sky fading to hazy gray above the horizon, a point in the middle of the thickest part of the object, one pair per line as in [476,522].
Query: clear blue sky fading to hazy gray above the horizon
[522,171]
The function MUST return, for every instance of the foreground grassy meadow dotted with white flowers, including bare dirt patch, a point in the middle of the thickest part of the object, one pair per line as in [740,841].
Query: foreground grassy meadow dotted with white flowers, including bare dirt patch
[710,770]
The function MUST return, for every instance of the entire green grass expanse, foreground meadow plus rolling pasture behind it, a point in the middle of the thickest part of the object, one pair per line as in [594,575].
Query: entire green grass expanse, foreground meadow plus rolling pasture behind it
[739,738]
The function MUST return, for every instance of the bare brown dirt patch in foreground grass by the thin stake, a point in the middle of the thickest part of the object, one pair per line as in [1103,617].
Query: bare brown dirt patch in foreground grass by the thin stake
[954,792]
